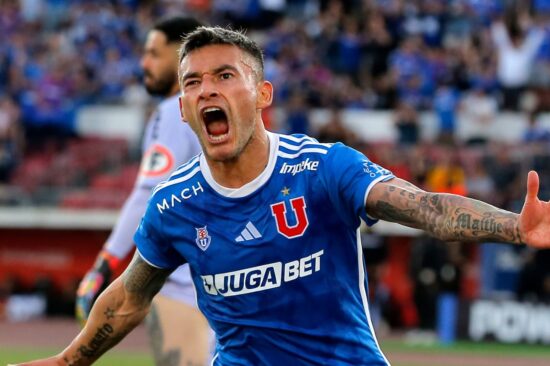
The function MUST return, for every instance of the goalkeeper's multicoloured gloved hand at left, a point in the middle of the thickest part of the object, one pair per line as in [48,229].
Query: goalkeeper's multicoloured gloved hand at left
[93,283]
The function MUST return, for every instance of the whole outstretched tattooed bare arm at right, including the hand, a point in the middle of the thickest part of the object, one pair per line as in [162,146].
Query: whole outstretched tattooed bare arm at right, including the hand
[453,217]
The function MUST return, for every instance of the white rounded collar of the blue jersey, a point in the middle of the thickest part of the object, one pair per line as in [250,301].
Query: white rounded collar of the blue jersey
[251,186]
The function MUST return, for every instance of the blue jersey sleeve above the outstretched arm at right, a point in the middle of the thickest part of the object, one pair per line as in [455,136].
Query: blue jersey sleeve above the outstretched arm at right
[349,177]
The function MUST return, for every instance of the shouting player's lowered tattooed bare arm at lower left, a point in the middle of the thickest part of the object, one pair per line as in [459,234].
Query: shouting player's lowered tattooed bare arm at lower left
[118,310]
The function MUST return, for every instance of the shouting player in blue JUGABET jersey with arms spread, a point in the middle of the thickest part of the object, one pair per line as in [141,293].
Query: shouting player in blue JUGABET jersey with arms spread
[269,225]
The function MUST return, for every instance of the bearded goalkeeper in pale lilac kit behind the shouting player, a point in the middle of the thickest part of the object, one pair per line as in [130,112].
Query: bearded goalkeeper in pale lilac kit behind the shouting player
[178,332]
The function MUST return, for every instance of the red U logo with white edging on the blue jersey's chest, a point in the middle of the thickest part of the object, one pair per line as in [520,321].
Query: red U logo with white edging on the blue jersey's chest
[278,210]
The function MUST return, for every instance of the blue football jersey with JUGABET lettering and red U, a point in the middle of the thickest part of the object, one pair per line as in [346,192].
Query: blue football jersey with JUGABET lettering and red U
[277,264]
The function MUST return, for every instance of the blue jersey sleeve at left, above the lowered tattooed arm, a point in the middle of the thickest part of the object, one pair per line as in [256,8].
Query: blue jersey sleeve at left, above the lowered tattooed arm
[152,245]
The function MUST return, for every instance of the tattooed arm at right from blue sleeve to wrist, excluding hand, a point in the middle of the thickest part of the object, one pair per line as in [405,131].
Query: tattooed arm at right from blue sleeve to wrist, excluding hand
[446,216]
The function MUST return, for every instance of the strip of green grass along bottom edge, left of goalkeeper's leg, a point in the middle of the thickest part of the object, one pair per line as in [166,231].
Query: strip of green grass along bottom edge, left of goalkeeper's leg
[112,358]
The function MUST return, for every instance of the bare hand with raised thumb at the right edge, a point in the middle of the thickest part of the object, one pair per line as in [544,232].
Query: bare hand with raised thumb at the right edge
[534,220]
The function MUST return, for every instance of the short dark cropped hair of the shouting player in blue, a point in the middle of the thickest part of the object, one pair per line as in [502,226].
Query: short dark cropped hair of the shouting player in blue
[206,36]
